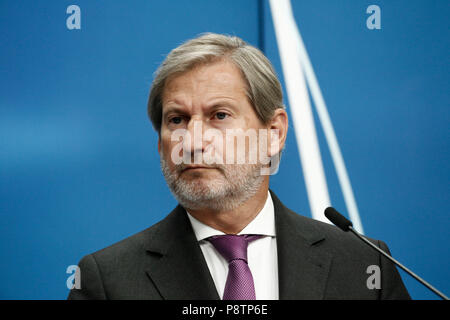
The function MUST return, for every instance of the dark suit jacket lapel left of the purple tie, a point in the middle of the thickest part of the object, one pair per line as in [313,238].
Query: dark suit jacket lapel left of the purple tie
[176,264]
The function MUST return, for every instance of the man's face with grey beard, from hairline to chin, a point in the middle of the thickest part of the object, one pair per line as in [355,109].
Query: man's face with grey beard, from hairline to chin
[200,108]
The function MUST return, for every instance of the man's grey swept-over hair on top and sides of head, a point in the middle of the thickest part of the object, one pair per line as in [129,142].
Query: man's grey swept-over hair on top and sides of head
[263,88]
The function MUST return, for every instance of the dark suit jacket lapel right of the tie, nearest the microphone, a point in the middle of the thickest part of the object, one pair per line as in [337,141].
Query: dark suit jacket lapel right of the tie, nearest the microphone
[302,266]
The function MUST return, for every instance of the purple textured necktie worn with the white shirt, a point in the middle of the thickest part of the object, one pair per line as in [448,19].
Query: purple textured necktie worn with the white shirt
[233,248]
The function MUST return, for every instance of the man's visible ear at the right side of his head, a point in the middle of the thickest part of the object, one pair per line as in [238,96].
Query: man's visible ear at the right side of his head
[277,138]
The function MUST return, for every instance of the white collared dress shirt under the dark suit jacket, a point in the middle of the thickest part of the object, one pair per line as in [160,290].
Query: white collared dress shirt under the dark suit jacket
[261,253]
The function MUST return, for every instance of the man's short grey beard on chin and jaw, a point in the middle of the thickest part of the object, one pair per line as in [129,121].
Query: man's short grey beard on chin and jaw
[239,183]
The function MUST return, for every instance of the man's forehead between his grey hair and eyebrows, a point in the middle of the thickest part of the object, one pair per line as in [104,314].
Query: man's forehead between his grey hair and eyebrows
[206,80]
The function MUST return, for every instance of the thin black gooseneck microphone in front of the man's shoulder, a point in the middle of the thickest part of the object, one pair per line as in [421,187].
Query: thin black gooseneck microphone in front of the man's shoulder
[346,225]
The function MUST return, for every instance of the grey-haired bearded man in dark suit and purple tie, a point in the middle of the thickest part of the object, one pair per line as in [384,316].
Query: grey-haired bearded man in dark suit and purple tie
[230,237]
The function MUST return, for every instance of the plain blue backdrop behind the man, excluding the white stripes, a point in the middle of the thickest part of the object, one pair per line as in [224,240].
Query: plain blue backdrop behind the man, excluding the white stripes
[79,168]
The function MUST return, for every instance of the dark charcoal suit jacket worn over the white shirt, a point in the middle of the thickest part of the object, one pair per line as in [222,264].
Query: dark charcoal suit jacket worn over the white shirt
[315,261]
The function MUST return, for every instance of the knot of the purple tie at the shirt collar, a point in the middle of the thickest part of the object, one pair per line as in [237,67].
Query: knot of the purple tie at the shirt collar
[231,246]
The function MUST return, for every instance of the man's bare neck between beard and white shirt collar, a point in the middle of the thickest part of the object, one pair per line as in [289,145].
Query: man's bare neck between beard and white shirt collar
[234,221]
